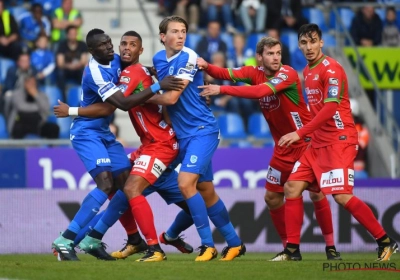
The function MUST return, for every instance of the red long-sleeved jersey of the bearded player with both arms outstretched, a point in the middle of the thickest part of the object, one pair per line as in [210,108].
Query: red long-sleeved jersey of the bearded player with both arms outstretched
[280,96]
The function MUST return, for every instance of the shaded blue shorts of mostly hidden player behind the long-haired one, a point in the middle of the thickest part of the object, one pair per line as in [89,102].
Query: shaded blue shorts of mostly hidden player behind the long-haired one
[167,187]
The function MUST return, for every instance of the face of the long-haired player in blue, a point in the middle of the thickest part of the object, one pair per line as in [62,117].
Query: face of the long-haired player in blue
[174,38]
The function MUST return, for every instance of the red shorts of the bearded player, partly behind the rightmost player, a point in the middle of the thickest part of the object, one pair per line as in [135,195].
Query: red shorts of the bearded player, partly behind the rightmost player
[281,166]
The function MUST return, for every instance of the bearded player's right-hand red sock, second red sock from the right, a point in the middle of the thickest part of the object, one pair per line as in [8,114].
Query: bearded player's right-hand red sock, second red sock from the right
[324,218]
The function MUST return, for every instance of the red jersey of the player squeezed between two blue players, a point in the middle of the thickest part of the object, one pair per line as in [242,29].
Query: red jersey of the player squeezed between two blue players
[147,119]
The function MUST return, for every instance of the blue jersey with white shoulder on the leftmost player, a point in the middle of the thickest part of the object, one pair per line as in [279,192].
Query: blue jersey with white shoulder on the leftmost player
[98,83]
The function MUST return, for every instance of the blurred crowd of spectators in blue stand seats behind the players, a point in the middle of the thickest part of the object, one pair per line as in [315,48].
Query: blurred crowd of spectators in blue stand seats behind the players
[42,54]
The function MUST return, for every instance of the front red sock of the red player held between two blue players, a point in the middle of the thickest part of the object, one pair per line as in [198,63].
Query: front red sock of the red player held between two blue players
[144,217]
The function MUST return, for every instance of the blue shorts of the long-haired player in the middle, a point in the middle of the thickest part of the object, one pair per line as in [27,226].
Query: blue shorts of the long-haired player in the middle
[195,154]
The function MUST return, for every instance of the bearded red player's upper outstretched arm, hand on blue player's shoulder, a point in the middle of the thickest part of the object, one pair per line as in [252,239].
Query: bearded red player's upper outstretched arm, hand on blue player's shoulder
[235,75]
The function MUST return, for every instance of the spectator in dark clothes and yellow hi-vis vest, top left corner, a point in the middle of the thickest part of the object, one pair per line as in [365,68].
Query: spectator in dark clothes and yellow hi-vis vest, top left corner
[9,45]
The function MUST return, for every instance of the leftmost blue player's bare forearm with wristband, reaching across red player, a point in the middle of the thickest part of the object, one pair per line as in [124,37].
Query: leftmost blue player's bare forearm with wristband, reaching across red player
[125,103]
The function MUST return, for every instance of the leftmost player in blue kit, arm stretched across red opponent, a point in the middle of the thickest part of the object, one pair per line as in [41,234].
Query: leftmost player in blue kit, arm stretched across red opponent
[103,156]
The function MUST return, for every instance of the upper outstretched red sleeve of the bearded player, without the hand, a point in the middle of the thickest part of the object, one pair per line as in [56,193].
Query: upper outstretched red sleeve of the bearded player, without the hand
[242,74]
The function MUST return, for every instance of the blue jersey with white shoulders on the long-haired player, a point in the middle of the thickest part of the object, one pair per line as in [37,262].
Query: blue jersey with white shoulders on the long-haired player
[190,115]
